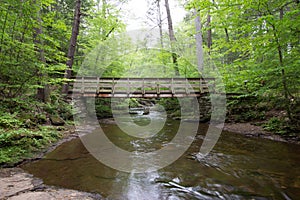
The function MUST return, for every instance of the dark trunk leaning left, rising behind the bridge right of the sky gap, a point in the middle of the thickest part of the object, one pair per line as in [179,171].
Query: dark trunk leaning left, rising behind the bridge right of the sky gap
[172,37]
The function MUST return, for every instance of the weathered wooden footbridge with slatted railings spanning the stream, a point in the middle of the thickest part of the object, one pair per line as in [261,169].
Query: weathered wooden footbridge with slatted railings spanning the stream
[140,87]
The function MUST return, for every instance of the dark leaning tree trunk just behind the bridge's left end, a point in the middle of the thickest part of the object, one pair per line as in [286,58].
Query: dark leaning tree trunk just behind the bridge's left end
[72,46]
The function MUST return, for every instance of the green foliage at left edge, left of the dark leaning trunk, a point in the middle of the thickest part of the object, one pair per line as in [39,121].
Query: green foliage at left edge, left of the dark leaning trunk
[29,48]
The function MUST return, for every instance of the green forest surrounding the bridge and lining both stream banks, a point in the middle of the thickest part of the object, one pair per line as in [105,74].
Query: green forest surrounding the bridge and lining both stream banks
[252,45]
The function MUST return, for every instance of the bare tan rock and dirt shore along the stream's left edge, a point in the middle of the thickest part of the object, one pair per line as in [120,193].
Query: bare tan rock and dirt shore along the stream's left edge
[16,184]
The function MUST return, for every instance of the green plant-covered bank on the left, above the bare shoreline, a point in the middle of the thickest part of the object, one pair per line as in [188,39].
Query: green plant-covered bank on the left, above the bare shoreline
[33,145]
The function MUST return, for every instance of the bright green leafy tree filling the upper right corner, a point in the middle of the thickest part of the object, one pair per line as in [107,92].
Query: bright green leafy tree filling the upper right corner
[256,43]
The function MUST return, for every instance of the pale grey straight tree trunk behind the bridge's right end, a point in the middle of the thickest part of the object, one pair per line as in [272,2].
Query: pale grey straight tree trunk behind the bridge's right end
[199,47]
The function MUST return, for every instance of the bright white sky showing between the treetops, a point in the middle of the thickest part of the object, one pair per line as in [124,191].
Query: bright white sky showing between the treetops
[135,13]
